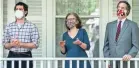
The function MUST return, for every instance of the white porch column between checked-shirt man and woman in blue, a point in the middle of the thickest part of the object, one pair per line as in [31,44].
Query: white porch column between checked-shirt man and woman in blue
[50,28]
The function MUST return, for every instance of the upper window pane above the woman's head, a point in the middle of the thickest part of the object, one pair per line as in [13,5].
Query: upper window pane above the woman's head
[82,7]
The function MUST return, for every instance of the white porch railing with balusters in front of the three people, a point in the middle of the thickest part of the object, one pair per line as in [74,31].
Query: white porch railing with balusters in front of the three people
[54,62]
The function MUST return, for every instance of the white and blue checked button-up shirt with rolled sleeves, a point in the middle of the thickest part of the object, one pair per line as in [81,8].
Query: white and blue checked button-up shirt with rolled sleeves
[27,33]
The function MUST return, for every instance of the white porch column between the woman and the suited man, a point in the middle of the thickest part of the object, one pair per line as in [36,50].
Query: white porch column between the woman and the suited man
[104,19]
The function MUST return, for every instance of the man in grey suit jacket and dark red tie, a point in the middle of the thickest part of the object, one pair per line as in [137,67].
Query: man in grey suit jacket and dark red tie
[122,37]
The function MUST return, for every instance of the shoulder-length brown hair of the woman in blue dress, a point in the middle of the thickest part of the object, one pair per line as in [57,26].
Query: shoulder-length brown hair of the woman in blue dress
[79,25]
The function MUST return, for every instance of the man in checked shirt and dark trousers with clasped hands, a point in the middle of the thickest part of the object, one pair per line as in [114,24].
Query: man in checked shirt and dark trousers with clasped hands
[20,37]
